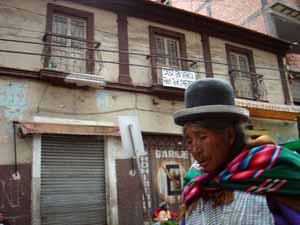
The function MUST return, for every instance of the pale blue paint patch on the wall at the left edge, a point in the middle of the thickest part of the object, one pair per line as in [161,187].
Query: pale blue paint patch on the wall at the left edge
[12,100]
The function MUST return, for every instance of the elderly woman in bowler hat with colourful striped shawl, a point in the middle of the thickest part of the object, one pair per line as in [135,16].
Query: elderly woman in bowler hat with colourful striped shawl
[233,182]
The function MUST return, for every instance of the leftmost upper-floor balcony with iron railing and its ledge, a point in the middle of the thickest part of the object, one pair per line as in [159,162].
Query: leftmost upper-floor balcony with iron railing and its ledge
[77,60]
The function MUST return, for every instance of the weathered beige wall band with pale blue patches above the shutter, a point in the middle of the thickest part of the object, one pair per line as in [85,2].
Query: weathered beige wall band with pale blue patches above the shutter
[24,99]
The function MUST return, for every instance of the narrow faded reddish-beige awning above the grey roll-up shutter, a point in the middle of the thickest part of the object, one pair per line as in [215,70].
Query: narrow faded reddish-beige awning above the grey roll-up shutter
[32,127]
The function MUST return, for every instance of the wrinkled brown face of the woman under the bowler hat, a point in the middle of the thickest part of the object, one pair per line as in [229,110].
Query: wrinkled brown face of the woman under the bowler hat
[208,147]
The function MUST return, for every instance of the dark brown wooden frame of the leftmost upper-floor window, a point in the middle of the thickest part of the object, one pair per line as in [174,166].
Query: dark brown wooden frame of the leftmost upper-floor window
[88,16]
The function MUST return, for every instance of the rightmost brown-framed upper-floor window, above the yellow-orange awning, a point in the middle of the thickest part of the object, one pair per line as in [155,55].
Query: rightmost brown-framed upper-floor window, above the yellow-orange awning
[246,82]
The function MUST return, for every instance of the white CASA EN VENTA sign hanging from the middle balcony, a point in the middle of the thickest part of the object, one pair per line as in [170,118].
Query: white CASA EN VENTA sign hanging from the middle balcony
[177,78]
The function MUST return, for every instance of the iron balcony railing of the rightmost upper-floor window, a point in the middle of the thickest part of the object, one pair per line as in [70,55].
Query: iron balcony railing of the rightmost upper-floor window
[249,85]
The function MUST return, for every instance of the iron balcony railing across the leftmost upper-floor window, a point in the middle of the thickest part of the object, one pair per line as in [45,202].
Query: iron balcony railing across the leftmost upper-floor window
[72,54]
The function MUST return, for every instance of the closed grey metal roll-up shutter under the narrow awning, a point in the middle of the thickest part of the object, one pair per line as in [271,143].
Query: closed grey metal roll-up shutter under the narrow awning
[72,180]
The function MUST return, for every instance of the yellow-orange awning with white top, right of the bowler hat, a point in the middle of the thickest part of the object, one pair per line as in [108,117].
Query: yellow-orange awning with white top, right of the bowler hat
[266,110]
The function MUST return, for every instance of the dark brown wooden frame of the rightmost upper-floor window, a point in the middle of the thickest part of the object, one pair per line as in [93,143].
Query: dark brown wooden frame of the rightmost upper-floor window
[243,51]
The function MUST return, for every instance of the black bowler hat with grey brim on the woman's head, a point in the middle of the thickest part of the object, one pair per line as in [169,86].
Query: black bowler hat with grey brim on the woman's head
[210,98]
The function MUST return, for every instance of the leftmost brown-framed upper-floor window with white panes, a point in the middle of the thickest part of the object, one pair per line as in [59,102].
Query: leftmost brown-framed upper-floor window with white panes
[70,33]
